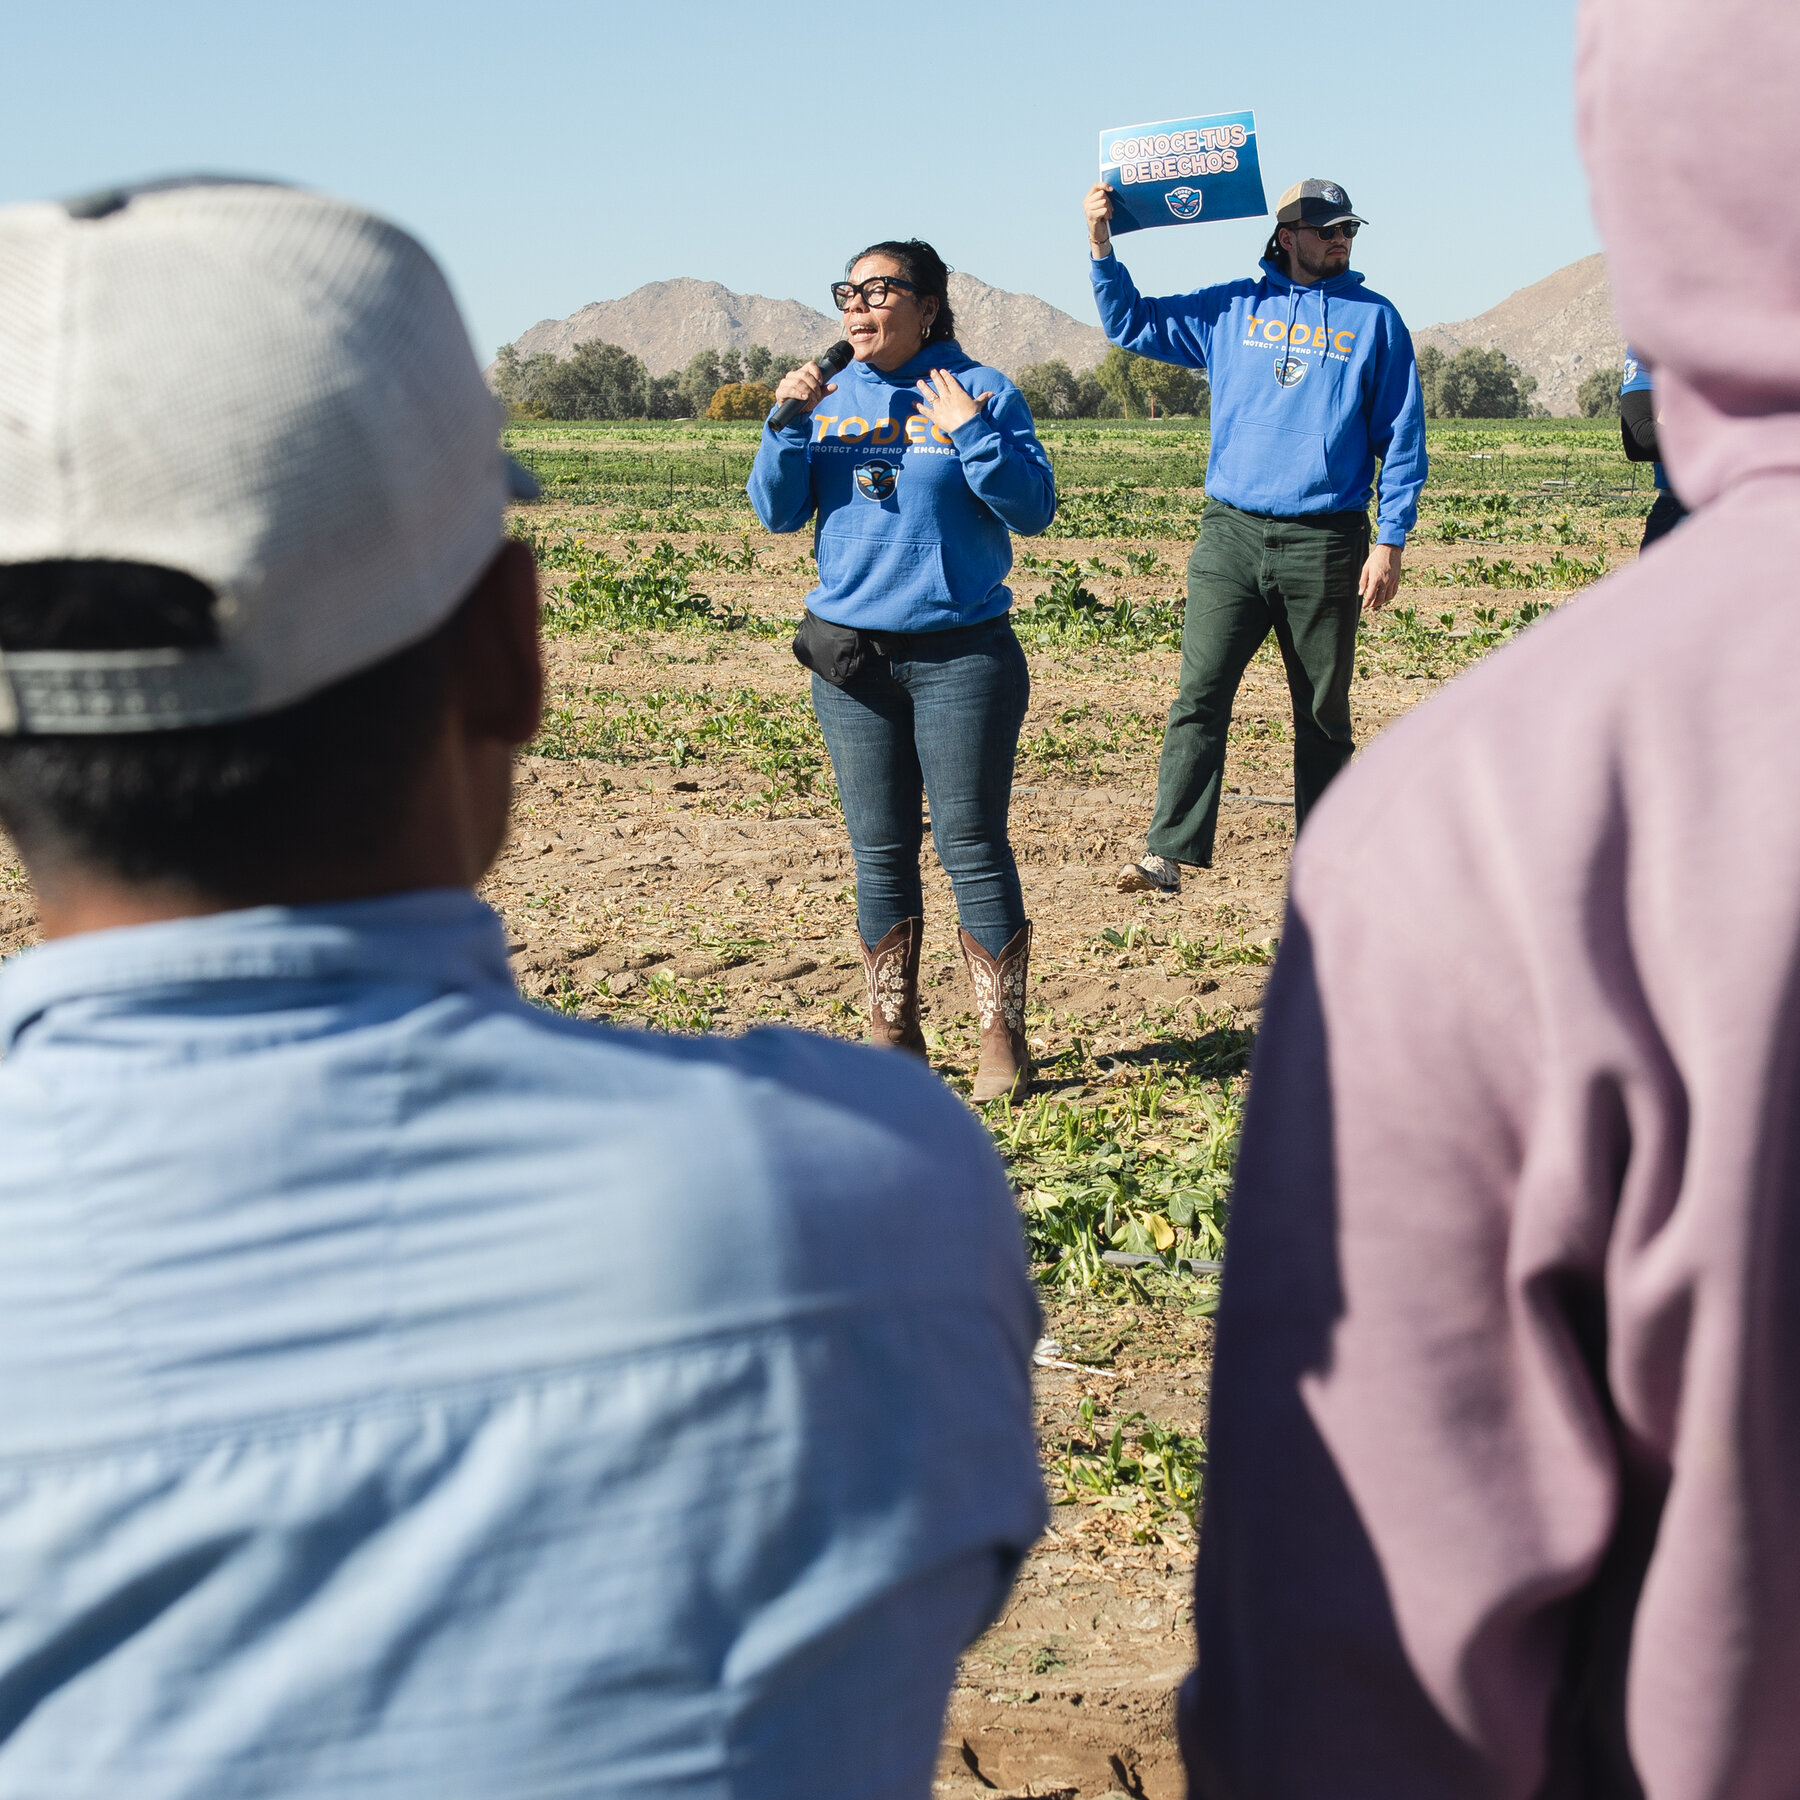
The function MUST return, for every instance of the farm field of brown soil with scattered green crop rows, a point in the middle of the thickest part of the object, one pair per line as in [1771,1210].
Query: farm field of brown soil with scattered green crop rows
[679,863]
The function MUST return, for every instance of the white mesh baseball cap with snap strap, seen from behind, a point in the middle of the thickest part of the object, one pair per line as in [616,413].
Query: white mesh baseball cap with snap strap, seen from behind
[256,386]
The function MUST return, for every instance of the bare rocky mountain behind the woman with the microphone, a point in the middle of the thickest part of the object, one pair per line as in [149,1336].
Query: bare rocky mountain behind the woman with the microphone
[665,323]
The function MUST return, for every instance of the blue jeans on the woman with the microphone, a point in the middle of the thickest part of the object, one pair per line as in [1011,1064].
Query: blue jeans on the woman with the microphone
[937,717]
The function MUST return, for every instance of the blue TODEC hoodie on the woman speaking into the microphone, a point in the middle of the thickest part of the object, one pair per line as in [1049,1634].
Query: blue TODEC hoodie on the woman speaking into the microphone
[913,525]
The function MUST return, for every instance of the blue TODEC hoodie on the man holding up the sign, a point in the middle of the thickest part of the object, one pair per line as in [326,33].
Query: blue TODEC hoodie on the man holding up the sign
[1309,386]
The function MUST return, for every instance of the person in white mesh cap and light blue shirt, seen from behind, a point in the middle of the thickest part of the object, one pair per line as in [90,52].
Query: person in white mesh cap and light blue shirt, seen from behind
[408,1392]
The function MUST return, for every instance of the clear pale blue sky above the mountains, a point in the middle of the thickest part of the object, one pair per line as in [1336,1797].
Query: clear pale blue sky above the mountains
[559,154]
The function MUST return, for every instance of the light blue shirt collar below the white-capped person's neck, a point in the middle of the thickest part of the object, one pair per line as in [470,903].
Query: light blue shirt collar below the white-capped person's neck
[438,937]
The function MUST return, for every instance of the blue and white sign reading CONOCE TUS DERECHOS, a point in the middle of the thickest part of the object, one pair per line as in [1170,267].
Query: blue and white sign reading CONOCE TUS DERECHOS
[1183,172]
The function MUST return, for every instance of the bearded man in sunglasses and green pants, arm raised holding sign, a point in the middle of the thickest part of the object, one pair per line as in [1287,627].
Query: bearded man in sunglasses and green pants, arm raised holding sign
[1313,381]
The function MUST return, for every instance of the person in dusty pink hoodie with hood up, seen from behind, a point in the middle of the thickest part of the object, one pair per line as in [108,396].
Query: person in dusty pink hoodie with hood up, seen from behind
[1506,1443]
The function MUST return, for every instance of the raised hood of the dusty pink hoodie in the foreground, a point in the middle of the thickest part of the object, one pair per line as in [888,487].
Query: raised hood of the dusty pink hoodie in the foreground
[1687,120]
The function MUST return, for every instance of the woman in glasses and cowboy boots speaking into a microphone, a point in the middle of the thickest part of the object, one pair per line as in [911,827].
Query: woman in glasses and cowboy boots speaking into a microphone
[915,480]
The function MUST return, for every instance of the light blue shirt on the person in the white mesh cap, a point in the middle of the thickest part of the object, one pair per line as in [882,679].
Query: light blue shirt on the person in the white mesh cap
[406,1392]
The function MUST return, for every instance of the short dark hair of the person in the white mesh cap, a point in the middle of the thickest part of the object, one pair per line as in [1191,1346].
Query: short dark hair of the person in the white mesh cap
[228,809]
